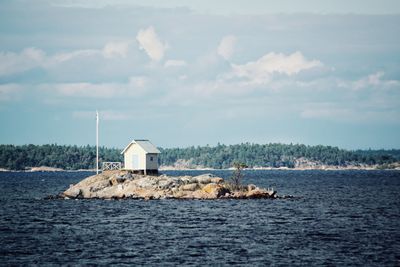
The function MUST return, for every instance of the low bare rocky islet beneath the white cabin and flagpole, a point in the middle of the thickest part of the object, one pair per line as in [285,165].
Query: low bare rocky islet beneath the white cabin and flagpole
[126,185]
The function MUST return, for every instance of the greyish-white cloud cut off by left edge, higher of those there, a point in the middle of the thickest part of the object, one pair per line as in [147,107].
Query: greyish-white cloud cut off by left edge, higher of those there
[11,63]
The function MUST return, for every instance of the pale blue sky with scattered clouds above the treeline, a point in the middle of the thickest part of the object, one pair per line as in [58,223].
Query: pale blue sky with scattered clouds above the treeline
[184,73]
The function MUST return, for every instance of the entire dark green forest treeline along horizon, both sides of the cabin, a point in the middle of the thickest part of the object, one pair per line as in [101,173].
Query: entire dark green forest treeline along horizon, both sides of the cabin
[220,156]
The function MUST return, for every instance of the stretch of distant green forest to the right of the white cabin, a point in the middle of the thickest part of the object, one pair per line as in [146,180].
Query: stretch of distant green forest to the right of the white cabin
[274,155]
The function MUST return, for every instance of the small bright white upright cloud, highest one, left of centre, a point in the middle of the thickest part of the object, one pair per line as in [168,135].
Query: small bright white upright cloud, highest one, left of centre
[150,42]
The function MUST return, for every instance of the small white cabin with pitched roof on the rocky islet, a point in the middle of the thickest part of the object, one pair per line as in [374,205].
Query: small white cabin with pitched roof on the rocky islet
[141,156]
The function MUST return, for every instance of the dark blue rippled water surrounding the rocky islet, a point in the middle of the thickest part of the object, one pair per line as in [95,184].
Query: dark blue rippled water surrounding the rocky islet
[342,218]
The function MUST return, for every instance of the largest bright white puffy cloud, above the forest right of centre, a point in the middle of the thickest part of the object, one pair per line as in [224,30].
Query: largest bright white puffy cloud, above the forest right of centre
[261,71]
